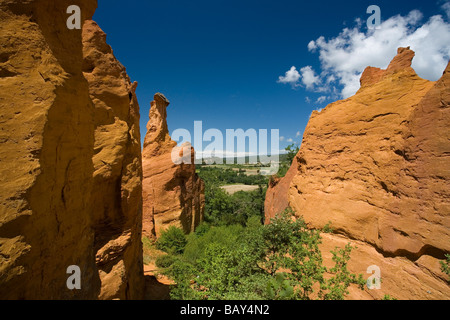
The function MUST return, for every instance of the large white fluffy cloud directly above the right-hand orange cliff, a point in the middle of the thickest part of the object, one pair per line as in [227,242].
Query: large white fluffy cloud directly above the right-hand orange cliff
[344,58]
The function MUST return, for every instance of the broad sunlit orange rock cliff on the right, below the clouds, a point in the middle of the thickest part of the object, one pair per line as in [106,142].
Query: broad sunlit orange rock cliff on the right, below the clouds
[376,166]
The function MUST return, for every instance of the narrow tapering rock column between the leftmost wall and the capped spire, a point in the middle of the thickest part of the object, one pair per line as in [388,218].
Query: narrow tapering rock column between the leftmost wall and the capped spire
[117,192]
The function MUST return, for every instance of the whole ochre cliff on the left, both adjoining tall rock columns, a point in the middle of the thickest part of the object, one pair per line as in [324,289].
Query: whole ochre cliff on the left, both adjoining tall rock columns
[69,159]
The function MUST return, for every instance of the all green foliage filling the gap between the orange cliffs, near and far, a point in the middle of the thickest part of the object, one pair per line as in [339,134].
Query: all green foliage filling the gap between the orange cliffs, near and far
[233,255]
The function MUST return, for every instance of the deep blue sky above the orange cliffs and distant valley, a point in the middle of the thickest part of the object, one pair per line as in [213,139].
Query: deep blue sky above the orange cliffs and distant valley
[220,61]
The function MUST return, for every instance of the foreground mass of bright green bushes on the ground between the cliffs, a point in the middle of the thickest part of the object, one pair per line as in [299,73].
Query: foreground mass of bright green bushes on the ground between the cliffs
[281,260]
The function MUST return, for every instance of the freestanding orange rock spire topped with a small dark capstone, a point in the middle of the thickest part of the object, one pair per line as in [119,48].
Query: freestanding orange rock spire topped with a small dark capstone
[173,194]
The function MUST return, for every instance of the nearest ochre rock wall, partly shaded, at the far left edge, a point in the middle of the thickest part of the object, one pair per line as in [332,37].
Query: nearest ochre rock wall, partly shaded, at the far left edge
[47,145]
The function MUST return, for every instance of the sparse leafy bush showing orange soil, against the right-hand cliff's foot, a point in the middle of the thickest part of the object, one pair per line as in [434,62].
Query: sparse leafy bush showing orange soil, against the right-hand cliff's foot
[292,246]
